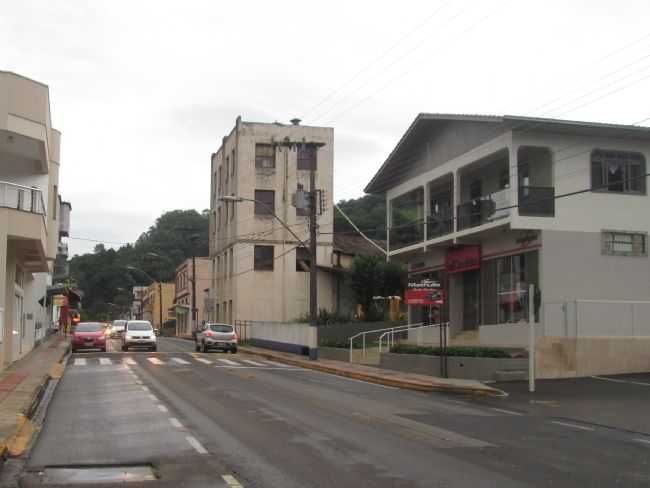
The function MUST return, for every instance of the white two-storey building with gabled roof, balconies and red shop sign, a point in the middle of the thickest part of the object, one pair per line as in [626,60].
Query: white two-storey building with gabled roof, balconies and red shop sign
[487,205]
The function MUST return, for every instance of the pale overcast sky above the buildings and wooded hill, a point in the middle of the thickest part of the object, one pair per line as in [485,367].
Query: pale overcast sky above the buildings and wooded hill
[143,91]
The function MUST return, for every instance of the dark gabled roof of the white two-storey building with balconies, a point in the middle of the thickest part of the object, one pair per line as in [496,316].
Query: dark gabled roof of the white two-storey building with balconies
[425,122]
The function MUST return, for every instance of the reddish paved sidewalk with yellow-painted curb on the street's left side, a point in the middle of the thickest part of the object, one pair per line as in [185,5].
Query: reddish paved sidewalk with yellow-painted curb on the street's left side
[21,385]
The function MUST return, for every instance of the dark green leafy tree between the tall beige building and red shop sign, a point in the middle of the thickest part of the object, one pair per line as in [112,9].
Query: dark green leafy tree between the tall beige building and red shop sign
[371,276]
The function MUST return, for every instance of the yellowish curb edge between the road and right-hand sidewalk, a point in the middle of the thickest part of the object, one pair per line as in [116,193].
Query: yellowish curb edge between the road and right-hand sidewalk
[381,380]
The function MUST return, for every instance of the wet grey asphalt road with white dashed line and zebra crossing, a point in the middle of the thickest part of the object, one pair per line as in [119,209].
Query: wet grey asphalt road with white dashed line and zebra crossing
[211,420]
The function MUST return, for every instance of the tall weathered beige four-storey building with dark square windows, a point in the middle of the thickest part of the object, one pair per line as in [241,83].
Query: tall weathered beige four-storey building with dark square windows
[259,270]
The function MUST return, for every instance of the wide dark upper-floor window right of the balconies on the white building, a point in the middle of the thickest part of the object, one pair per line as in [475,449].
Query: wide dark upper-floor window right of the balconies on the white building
[618,172]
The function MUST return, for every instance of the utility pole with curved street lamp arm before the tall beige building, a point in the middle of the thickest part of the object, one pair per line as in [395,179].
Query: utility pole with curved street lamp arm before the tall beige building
[313,303]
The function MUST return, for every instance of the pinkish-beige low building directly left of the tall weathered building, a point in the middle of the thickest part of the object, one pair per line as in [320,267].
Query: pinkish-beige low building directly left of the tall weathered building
[184,279]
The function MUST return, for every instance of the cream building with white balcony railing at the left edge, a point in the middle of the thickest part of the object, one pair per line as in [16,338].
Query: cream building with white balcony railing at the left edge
[29,212]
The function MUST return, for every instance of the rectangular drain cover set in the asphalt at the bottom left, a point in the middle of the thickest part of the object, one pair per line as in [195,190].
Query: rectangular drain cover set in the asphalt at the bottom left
[97,474]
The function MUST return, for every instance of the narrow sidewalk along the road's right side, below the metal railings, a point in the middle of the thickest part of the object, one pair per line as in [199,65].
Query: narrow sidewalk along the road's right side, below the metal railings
[386,377]
